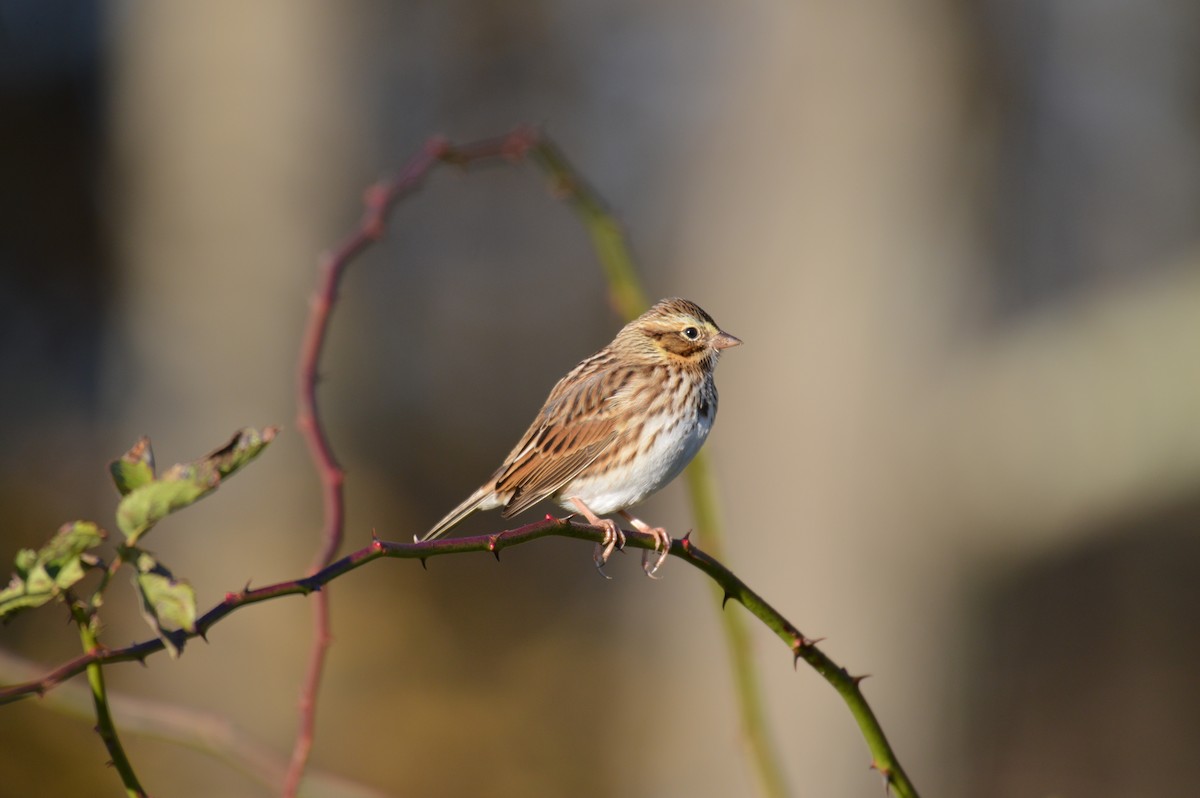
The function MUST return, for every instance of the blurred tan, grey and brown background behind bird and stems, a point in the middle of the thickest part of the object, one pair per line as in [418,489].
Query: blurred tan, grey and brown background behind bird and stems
[962,442]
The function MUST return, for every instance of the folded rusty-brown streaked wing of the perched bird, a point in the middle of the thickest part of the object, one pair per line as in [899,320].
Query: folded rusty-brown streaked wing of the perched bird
[579,423]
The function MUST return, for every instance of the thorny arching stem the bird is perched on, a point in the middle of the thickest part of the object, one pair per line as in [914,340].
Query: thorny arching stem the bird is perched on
[733,587]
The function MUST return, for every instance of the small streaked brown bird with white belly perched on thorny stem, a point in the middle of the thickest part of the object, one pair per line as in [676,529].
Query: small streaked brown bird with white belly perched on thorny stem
[619,428]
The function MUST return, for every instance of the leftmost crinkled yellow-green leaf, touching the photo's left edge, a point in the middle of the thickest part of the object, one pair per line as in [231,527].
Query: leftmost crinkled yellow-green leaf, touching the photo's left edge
[45,574]
